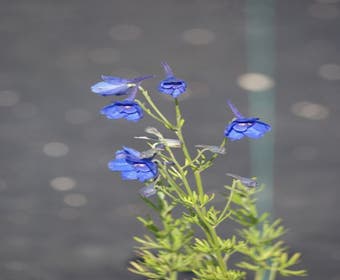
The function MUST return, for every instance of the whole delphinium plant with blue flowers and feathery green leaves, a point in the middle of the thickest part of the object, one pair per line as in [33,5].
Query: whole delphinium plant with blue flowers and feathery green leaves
[183,235]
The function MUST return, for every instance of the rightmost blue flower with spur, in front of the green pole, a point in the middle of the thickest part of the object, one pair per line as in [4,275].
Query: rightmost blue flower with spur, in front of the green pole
[241,126]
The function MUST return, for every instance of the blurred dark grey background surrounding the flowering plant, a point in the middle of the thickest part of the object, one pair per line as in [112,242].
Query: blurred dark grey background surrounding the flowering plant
[64,215]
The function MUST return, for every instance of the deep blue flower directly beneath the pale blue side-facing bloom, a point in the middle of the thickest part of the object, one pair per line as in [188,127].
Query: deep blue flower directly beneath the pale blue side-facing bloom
[127,109]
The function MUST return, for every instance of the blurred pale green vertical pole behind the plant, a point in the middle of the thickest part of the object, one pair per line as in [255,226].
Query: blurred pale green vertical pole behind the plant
[260,49]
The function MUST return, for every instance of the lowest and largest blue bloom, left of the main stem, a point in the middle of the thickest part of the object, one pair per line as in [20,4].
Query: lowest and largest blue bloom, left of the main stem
[133,167]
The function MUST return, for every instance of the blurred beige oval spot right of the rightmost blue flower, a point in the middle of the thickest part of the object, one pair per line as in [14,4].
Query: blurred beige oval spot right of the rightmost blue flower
[310,110]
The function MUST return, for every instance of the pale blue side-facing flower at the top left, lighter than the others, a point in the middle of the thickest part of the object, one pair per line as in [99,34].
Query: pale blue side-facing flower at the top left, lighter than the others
[115,85]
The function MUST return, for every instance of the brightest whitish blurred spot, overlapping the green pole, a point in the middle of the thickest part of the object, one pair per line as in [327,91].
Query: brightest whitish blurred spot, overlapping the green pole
[255,82]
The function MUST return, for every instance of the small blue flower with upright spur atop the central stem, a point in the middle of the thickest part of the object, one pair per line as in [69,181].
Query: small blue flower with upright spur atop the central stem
[171,85]
